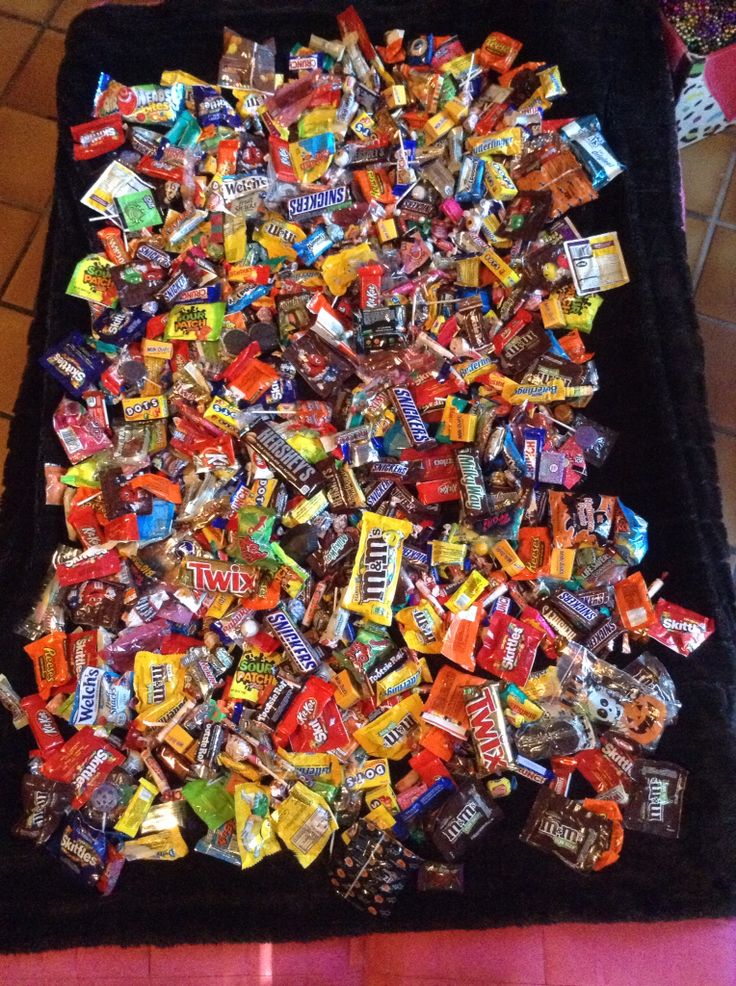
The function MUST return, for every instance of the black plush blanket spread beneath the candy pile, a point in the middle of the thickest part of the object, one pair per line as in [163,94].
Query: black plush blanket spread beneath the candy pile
[663,466]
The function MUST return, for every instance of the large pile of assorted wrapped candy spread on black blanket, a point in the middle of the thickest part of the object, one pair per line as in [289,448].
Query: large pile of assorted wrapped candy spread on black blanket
[332,578]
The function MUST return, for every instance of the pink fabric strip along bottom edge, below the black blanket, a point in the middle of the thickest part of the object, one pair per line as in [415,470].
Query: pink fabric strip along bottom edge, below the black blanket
[687,953]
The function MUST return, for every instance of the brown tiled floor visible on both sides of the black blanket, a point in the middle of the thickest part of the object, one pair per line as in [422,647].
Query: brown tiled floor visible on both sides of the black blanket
[32,42]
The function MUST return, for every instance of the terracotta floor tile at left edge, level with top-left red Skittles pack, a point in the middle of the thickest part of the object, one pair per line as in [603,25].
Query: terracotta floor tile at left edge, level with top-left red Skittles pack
[27,161]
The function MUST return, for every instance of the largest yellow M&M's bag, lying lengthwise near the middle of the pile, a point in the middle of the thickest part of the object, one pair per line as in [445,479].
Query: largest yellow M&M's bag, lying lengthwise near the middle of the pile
[375,574]
